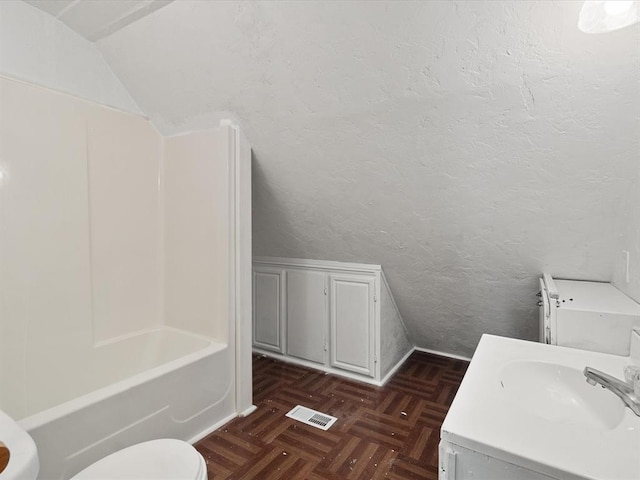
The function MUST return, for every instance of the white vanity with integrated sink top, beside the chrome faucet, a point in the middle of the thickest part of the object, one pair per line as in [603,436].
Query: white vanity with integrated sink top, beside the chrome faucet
[525,412]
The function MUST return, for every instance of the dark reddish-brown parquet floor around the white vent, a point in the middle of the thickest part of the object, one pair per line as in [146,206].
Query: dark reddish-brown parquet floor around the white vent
[390,432]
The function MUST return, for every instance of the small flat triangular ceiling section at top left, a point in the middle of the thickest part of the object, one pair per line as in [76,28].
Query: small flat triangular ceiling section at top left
[95,19]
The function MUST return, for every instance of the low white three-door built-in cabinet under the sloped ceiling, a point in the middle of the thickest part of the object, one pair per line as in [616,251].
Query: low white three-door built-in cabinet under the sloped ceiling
[325,315]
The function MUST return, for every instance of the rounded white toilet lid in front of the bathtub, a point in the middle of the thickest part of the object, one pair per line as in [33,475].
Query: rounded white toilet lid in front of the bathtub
[164,459]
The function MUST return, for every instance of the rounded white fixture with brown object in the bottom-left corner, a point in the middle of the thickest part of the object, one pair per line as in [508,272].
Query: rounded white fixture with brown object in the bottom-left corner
[23,455]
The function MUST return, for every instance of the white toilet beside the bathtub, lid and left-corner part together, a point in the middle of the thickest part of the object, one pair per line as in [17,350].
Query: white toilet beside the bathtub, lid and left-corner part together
[164,459]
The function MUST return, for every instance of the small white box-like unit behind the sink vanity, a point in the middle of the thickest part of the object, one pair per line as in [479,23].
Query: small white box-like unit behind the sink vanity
[587,315]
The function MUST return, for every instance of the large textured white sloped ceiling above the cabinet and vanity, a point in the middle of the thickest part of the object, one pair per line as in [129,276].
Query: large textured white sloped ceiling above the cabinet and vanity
[465,146]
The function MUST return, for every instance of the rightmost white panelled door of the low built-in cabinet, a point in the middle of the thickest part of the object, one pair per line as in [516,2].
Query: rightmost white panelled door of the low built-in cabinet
[352,314]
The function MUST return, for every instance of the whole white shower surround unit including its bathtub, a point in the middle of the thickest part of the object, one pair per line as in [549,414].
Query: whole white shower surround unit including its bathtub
[125,270]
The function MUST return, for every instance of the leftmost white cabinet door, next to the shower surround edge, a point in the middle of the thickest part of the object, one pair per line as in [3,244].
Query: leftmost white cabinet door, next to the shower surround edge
[268,299]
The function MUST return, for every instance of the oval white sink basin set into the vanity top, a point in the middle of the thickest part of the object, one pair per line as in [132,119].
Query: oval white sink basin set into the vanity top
[560,394]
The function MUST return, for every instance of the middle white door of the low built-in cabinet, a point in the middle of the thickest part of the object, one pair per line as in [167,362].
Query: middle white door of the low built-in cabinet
[307,318]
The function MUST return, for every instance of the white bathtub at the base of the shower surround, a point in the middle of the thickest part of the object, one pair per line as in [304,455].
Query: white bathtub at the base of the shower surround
[159,383]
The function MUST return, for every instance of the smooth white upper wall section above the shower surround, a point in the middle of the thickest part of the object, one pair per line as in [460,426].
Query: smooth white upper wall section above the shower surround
[36,47]
